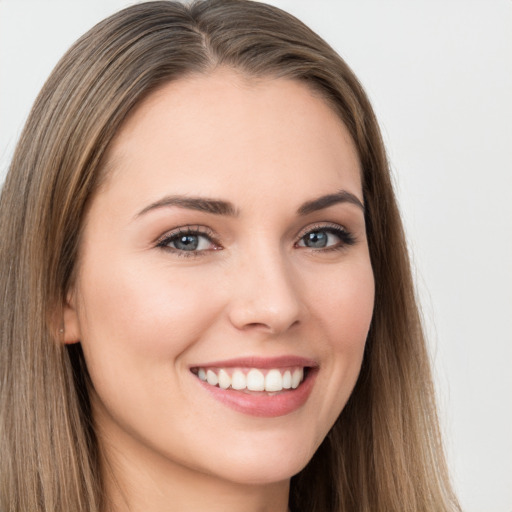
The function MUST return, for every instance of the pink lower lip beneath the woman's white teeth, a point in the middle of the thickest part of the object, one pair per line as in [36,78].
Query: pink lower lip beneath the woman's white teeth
[262,404]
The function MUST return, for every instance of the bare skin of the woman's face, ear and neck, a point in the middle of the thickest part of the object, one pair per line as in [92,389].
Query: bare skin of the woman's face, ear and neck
[145,314]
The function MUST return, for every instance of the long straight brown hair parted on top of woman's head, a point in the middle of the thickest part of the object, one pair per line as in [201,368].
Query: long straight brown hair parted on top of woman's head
[384,451]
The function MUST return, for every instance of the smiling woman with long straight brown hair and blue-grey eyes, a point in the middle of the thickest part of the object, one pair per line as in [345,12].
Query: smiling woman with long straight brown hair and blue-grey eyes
[207,296]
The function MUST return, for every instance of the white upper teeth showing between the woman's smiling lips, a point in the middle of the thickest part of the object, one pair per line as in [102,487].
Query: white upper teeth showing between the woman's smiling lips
[251,380]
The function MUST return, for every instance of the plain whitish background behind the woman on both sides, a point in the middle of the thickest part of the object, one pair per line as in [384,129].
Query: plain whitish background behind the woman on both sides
[440,76]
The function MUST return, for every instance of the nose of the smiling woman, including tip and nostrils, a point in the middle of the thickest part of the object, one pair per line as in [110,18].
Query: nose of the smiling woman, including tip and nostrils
[265,294]
